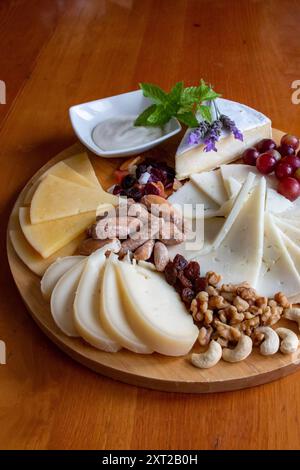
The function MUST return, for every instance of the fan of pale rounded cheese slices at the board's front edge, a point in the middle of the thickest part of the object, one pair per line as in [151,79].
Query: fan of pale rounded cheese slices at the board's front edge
[96,298]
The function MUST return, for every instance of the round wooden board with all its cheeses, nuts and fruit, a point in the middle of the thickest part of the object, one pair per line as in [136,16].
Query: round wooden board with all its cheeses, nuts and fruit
[99,255]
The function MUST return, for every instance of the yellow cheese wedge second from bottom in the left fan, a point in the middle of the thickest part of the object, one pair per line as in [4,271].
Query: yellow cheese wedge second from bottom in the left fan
[48,237]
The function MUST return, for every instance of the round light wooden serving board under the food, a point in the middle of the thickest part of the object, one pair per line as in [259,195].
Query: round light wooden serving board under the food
[151,371]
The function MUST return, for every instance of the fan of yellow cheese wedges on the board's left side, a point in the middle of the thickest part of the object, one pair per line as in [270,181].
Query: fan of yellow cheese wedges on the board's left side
[56,211]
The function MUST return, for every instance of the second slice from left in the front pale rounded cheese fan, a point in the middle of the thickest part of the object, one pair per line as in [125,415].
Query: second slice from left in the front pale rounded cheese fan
[62,299]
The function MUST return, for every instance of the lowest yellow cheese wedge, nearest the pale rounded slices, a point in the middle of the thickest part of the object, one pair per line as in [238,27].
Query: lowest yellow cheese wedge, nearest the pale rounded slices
[33,260]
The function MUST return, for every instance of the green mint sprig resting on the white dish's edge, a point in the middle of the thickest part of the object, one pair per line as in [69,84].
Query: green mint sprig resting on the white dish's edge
[182,103]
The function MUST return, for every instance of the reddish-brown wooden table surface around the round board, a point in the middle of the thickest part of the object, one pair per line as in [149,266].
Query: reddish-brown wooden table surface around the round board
[55,54]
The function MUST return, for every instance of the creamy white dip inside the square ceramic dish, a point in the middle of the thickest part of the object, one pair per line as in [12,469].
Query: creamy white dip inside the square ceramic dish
[120,133]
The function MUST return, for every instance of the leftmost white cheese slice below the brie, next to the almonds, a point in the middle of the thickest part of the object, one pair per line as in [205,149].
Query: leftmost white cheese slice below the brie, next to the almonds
[190,194]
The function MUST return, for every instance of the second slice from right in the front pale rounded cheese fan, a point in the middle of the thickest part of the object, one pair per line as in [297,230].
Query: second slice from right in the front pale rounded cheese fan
[113,316]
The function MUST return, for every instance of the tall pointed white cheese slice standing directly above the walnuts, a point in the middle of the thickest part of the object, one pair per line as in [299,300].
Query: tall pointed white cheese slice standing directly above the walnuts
[238,257]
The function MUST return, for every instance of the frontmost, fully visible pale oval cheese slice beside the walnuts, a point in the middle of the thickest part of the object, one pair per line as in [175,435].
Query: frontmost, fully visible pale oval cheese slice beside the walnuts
[155,310]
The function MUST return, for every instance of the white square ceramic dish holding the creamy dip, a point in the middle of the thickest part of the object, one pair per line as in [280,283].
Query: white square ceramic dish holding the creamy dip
[85,117]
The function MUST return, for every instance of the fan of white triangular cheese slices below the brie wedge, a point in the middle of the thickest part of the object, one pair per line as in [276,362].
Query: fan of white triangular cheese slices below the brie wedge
[251,232]
